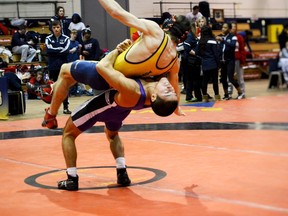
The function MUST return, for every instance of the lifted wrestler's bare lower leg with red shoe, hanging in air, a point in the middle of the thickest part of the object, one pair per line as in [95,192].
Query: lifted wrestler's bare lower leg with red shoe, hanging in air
[60,92]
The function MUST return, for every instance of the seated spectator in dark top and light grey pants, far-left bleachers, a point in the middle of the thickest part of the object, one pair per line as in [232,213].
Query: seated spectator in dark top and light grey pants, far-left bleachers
[20,45]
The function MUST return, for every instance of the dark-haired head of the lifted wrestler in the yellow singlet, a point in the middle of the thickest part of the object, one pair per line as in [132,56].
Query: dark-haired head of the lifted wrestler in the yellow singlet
[180,28]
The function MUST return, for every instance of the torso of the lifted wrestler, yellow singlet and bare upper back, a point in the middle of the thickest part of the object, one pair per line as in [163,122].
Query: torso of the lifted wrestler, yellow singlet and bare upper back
[147,57]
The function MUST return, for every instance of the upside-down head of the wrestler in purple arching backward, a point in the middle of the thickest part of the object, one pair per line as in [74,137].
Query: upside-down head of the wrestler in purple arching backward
[164,100]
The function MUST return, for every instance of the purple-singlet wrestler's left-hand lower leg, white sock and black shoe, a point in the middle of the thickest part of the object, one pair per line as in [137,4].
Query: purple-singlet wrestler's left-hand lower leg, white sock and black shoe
[70,133]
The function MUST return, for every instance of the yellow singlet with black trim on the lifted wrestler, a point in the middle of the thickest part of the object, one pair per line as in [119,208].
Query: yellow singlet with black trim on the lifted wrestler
[147,67]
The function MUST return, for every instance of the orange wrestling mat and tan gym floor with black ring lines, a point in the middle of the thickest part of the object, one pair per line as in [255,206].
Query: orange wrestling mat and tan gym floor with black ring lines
[223,158]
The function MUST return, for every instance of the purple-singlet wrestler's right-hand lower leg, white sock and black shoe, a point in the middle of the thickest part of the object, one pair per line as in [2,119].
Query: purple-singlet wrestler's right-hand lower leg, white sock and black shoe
[117,149]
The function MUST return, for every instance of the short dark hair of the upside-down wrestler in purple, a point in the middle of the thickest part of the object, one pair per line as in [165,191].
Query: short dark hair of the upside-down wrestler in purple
[163,108]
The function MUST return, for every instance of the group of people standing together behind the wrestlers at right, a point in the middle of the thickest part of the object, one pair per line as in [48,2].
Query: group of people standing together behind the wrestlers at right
[207,58]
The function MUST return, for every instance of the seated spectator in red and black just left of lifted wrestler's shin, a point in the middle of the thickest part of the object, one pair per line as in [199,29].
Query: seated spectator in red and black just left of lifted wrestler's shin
[37,87]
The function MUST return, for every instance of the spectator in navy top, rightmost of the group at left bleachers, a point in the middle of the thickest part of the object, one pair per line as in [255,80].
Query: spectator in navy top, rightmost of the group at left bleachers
[90,49]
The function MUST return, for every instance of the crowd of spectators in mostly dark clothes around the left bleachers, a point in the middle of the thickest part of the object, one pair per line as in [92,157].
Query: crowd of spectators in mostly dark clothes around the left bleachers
[69,41]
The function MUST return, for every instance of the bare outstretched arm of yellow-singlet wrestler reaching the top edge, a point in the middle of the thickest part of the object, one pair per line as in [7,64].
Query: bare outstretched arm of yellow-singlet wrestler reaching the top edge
[117,12]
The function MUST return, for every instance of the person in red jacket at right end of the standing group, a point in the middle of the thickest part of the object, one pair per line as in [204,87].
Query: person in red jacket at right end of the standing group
[240,57]
